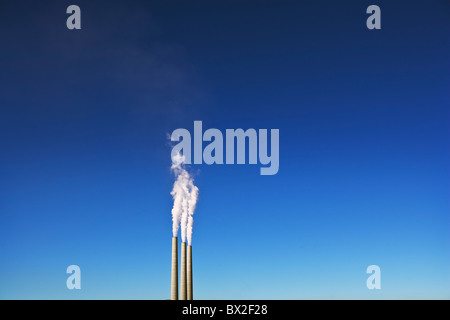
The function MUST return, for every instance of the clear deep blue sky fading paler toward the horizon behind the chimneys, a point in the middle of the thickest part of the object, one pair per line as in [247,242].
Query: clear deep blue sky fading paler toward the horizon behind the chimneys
[364,148]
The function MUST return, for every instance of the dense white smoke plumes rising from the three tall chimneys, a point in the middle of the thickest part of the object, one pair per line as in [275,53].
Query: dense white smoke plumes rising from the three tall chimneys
[185,195]
